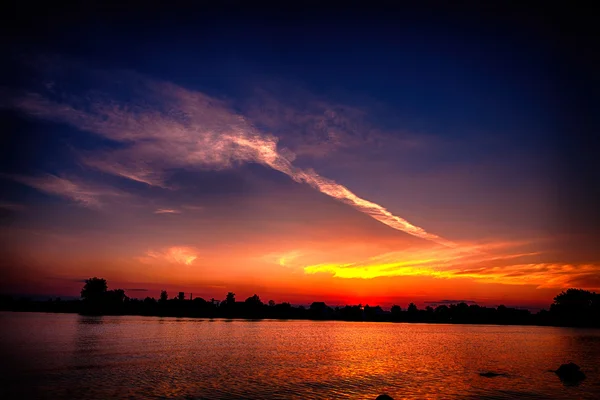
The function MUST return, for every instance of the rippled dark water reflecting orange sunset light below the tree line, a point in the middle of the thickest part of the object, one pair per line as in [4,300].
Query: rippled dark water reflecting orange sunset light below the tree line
[71,356]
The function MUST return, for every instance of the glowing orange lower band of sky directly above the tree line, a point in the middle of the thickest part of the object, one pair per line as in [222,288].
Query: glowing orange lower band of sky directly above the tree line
[324,251]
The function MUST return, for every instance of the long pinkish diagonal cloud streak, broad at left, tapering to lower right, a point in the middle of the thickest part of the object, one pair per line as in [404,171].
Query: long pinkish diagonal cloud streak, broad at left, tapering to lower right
[186,129]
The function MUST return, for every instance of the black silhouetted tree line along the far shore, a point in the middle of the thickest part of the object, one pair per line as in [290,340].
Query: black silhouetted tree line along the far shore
[572,307]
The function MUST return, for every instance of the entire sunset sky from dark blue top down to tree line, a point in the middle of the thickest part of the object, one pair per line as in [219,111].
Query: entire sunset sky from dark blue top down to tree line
[354,155]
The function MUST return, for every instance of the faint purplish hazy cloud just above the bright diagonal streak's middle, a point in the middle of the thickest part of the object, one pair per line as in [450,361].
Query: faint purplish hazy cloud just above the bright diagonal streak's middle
[314,127]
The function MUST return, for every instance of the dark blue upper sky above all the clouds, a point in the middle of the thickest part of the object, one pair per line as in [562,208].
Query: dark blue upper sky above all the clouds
[520,75]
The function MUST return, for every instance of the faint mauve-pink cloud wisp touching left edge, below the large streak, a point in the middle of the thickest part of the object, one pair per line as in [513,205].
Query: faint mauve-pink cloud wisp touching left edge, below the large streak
[84,194]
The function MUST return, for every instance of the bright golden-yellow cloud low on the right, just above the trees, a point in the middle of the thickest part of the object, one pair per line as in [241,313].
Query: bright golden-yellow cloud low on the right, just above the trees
[498,263]
